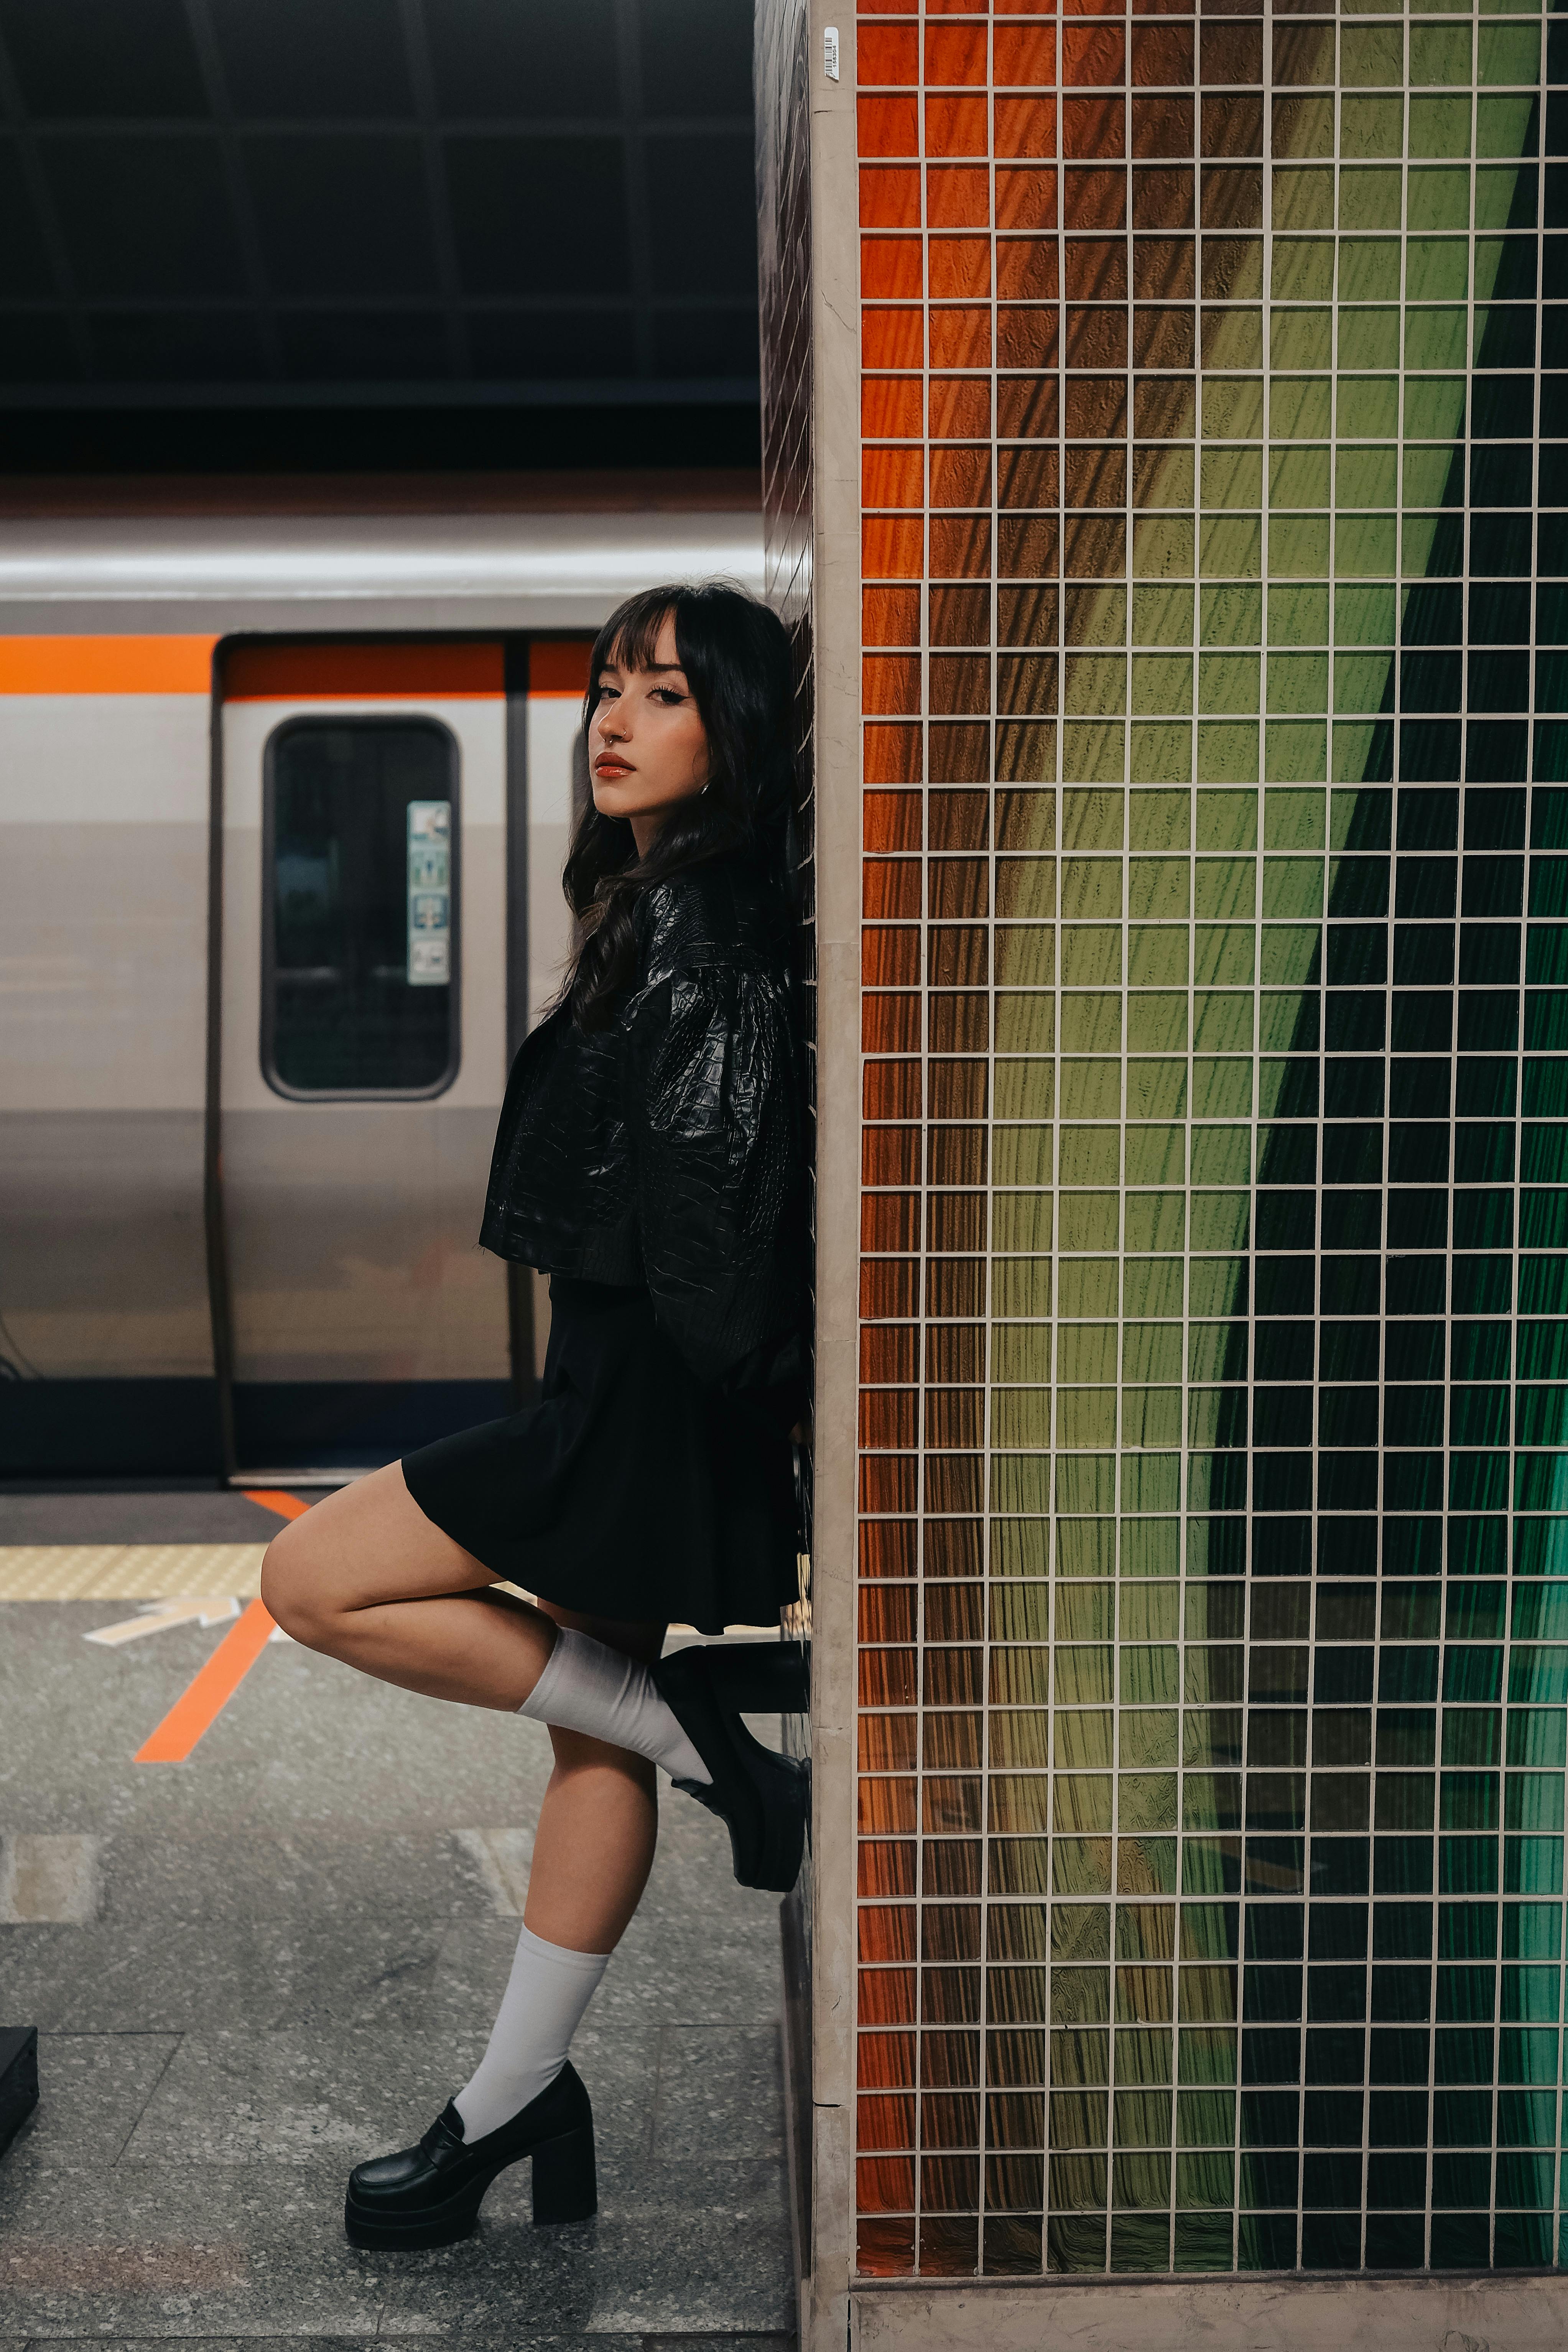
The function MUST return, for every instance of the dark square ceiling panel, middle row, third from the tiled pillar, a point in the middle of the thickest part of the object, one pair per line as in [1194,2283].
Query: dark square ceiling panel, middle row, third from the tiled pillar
[342,215]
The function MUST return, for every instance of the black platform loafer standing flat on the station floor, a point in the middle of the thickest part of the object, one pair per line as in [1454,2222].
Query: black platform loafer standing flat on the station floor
[431,2196]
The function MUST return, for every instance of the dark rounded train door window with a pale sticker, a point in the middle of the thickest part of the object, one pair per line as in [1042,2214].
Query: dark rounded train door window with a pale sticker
[359,940]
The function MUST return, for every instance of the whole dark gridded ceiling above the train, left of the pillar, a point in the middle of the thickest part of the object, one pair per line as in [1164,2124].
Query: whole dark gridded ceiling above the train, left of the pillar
[424,199]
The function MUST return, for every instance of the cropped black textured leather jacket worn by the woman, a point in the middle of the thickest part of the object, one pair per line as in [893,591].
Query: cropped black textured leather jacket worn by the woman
[666,1149]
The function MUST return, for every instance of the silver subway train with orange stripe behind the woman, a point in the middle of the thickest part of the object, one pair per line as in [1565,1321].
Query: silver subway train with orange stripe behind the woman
[286,787]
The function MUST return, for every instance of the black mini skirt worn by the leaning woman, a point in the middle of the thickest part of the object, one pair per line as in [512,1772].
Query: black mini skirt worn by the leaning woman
[629,1490]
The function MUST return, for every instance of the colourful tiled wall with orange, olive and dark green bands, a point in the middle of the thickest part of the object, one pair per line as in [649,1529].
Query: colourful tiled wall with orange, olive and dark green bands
[1214,1603]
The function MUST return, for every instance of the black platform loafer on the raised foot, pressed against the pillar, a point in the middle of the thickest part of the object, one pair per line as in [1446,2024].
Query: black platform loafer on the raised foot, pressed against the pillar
[760,1796]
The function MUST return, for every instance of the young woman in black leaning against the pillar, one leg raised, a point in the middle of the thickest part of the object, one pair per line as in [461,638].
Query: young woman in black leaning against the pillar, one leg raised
[650,1158]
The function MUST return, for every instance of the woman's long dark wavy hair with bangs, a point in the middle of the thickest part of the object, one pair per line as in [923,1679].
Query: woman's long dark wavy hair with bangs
[737,662]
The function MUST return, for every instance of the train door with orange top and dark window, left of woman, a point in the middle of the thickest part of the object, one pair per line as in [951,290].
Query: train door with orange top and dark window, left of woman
[363,1045]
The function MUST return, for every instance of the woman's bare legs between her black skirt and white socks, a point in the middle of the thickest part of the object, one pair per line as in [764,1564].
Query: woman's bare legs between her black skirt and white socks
[368,1579]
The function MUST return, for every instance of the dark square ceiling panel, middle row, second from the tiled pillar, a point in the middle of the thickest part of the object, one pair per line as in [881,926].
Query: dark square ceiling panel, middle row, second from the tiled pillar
[540,215]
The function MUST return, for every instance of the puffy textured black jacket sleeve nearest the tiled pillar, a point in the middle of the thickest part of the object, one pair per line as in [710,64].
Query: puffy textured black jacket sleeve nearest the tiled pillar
[713,1118]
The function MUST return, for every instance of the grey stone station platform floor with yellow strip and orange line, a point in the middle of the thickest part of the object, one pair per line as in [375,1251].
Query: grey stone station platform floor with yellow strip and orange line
[281,1956]
